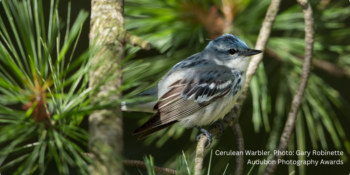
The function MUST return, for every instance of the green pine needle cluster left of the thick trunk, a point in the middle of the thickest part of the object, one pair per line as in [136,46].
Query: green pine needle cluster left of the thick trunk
[33,77]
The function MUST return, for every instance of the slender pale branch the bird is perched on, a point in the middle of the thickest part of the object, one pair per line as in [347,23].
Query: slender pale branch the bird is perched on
[232,117]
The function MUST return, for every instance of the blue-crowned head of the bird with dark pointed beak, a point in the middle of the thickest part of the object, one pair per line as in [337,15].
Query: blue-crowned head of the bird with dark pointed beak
[231,51]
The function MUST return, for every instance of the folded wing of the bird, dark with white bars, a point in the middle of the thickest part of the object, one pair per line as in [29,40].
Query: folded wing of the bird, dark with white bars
[201,87]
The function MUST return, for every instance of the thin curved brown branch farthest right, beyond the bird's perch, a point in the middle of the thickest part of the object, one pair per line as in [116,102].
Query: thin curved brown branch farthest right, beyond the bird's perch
[288,128]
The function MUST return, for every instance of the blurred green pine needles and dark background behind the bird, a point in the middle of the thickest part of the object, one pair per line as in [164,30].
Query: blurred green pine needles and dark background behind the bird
[178,29]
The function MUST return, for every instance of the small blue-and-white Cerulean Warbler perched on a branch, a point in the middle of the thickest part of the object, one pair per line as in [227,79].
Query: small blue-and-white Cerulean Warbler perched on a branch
[199,90]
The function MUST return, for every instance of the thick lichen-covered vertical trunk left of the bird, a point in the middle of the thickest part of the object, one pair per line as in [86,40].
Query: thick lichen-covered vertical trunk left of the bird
[106,126]
